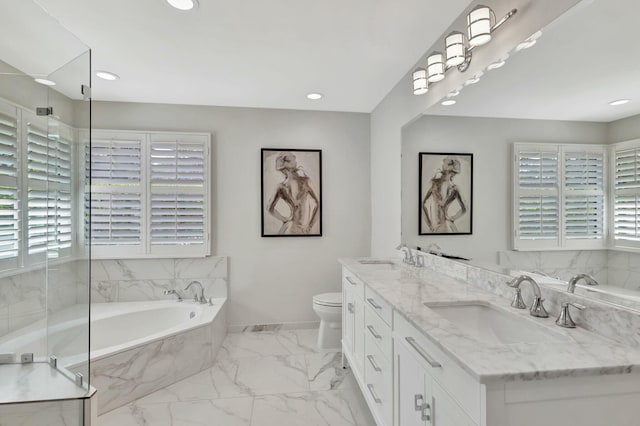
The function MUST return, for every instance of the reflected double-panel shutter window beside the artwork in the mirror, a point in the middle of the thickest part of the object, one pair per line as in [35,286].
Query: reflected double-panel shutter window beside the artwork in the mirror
[559,197]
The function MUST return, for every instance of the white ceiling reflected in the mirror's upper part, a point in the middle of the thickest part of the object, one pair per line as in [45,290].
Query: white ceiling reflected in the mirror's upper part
[583,60]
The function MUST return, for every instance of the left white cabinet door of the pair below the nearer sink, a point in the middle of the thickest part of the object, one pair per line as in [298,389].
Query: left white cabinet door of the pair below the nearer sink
[411,389]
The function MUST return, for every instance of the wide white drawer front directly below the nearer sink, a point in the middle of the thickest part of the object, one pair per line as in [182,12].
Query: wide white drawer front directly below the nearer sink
[450,376]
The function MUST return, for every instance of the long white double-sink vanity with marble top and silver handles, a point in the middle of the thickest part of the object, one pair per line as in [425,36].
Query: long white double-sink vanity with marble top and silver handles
[432,349]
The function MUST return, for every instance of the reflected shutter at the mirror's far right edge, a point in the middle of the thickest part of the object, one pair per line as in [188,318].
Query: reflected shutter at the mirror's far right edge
[626,187]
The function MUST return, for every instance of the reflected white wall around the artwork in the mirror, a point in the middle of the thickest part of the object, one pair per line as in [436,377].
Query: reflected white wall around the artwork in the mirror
[490,141]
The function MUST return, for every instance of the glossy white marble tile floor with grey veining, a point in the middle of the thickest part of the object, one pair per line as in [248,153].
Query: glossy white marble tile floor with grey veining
[268,378]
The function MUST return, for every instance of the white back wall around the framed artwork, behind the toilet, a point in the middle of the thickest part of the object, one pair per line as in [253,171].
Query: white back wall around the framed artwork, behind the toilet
[272,280]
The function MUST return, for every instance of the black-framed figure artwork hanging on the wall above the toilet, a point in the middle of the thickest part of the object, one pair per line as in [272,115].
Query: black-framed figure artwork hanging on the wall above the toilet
[291,192]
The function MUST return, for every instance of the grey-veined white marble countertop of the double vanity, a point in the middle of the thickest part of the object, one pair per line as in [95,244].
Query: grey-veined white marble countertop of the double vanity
[578,353]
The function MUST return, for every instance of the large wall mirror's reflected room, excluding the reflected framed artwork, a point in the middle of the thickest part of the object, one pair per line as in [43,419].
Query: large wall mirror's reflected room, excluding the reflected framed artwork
[555,95]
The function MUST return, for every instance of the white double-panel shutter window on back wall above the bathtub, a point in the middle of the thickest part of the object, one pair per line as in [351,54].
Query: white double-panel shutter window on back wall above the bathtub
[149,194]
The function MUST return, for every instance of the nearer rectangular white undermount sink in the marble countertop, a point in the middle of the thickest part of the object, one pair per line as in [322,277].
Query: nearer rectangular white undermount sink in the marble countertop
[487,324]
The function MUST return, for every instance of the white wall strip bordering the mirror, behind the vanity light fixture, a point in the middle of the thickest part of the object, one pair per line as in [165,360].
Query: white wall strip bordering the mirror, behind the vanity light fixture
[400,106]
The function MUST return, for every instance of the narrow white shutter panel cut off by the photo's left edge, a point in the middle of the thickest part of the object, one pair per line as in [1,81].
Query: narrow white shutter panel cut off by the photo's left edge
[9,203]
